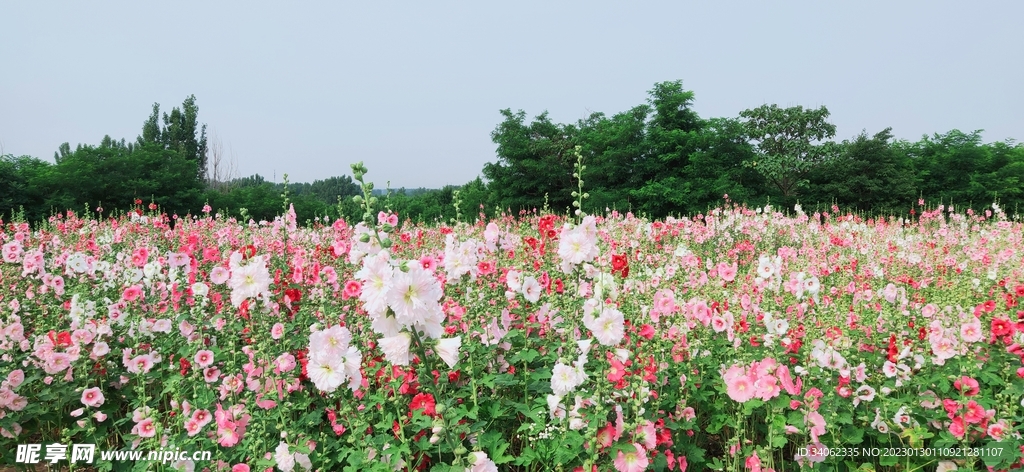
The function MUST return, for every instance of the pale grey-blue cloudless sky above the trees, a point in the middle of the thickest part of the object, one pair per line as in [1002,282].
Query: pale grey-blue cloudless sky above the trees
[414,90]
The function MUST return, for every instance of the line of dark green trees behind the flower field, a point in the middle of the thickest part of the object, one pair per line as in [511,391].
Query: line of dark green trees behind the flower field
[657,159]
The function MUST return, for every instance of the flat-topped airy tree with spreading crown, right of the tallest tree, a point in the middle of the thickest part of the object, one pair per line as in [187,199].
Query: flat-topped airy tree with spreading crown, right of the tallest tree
[789,142]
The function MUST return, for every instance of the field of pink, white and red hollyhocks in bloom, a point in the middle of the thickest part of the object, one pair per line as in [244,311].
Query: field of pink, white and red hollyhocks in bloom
[738,340]
